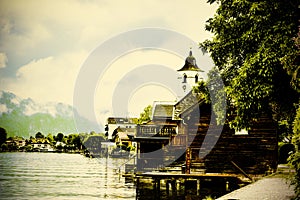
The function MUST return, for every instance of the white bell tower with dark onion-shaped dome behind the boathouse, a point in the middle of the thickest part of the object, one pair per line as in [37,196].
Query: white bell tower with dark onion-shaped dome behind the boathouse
[190,73]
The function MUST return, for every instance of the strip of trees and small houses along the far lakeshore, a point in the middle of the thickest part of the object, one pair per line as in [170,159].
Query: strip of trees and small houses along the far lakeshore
[71,143]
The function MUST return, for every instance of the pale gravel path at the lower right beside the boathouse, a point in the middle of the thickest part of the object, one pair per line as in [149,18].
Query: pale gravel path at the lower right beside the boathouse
[272,188]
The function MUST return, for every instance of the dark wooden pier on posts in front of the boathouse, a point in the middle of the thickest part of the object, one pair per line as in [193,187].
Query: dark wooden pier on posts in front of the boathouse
[176,183]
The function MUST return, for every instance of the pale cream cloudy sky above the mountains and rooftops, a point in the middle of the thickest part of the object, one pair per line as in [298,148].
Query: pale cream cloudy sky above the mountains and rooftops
[46,45]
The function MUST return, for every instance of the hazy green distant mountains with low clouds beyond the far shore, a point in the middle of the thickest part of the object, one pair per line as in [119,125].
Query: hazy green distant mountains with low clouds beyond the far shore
[24,117]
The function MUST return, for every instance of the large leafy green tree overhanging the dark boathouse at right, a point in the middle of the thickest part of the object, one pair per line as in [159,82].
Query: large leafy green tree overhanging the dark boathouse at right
[251,40]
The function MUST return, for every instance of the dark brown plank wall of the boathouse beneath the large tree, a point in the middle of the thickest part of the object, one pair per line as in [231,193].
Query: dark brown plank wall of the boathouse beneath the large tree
[255,153]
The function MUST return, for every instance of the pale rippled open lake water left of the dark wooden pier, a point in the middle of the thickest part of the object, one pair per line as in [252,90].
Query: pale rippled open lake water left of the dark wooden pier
[61,176]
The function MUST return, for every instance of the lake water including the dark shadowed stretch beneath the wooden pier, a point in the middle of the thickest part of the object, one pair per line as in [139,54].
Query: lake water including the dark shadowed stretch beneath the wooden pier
[73,176]
